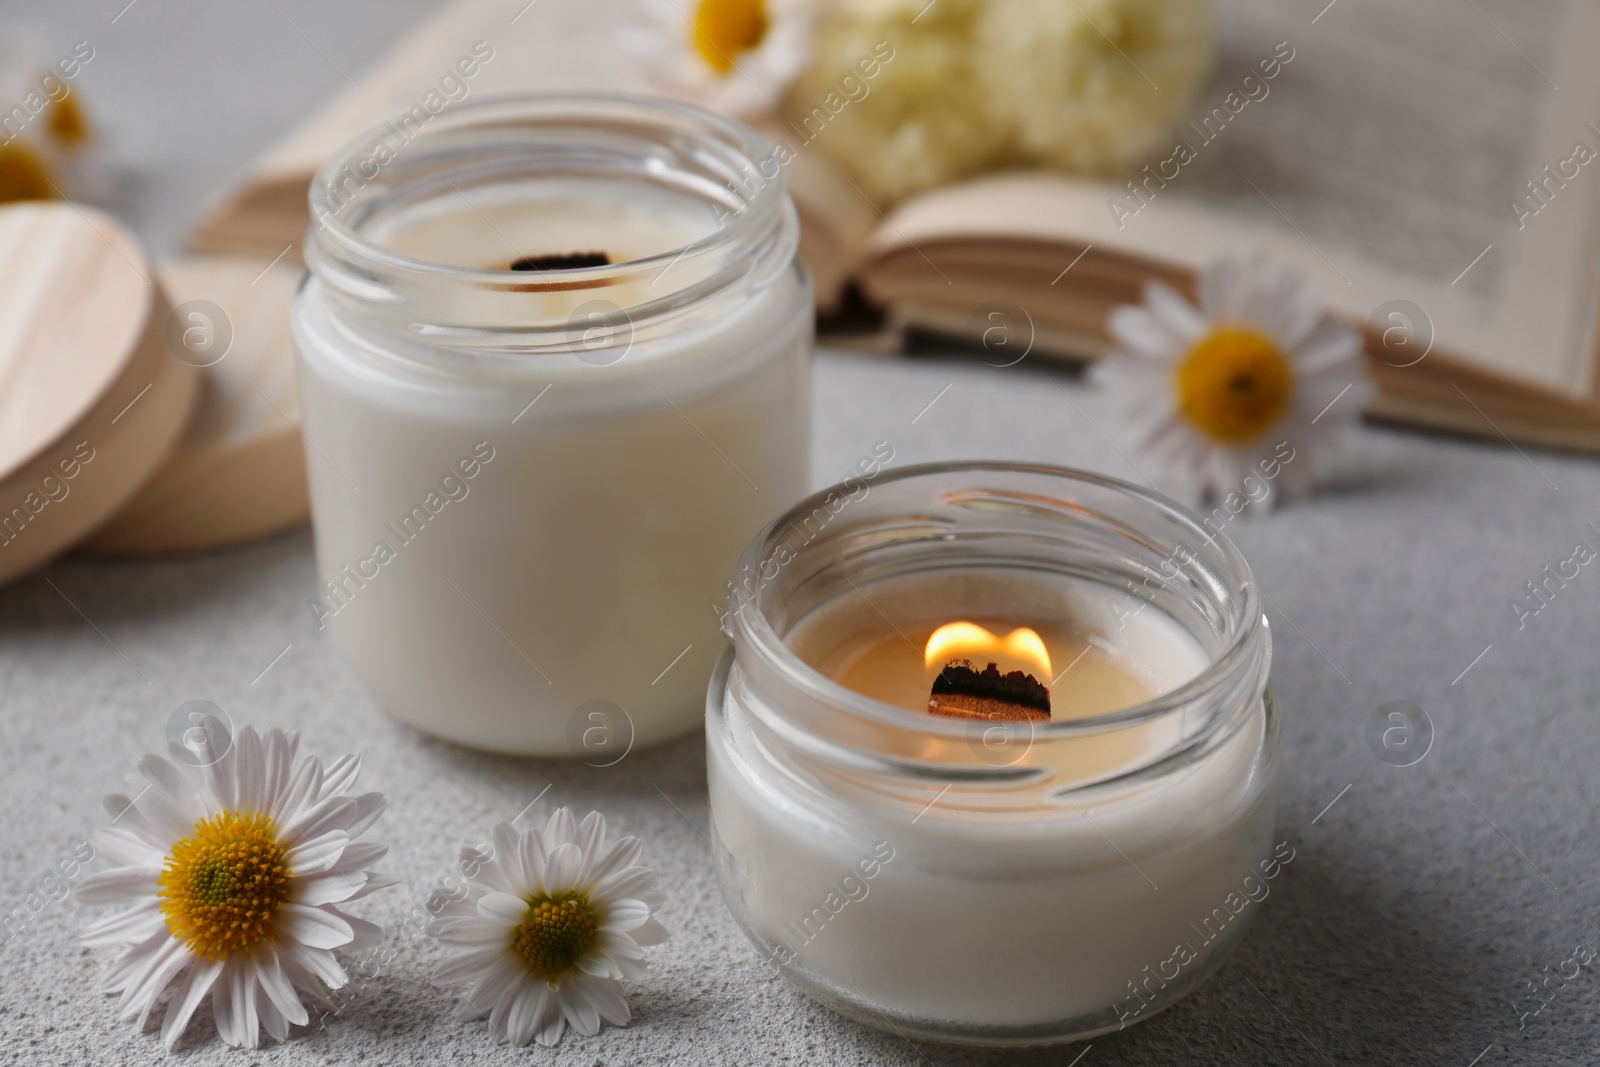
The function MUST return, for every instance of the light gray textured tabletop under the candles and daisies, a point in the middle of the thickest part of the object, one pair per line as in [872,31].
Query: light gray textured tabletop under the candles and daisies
[1420,908]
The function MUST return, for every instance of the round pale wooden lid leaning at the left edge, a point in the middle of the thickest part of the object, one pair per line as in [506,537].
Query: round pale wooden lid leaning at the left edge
[90,398]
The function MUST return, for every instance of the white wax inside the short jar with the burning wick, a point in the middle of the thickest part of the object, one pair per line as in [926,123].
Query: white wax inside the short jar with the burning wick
[977,921]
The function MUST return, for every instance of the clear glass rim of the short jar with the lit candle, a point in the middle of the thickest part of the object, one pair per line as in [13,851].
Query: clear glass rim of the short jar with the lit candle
[751,628]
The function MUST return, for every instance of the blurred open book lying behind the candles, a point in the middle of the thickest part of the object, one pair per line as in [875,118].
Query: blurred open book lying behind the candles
[1434,167]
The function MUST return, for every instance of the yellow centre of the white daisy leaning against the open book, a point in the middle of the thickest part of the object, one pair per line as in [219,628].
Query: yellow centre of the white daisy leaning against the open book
[1234,385]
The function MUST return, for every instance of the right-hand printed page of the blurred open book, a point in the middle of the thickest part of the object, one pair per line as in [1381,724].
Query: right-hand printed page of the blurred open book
[1383,158]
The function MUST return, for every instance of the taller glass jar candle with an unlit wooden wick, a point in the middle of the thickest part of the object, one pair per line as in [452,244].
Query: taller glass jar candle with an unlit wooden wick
[554,367]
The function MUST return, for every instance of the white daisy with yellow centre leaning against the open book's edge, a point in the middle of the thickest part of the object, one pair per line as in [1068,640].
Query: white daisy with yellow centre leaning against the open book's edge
[1255,383]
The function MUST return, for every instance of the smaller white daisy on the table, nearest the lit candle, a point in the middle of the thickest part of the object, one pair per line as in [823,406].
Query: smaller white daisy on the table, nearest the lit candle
[548,927]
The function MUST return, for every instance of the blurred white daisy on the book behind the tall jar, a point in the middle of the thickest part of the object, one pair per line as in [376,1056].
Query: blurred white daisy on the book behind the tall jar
[732,57]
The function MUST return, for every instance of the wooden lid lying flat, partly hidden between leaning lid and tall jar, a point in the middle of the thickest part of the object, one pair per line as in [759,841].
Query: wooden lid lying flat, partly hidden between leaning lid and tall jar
[239,471]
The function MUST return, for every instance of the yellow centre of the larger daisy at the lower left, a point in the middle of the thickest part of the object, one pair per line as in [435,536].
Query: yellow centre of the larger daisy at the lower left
[222,889]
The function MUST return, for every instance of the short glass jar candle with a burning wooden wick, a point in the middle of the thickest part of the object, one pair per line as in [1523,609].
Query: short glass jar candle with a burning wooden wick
[982,881]
